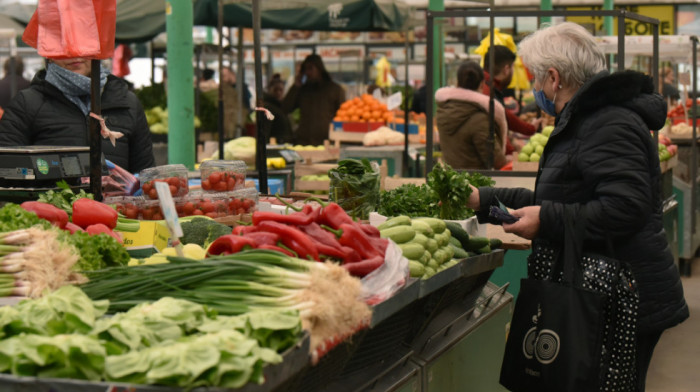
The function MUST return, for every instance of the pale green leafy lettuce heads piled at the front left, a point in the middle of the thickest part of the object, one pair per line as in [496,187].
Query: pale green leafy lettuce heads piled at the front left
[169,342]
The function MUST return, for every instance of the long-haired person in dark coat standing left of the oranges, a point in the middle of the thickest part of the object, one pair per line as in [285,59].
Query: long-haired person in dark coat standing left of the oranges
[318,98]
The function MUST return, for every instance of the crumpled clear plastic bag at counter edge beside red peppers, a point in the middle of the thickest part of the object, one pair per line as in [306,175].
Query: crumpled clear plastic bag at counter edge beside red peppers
[386,280]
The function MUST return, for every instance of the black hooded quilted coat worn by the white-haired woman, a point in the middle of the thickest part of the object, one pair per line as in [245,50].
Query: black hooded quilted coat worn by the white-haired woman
[601,155]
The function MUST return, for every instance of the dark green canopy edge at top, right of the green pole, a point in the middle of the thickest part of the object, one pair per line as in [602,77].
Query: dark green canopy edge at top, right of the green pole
[319,15]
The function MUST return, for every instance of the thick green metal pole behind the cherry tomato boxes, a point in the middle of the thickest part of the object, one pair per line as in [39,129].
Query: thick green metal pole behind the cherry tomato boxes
[178,24]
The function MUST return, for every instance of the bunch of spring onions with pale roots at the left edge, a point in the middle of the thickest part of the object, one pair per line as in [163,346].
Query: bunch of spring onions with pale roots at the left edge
[33,260]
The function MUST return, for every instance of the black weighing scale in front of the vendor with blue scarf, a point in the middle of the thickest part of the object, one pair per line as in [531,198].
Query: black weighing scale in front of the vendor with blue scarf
[27,171]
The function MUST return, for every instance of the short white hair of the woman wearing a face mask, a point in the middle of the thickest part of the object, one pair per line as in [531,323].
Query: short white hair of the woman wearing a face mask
[566,47]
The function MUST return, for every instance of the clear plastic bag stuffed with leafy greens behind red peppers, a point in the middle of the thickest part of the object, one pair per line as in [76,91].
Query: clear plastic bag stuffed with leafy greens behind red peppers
[354,185]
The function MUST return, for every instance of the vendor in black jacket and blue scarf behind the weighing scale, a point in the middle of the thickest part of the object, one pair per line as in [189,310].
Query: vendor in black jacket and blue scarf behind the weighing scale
[55,109]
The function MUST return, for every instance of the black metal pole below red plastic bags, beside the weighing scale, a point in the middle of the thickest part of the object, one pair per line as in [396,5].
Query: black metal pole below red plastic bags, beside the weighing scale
[94,137]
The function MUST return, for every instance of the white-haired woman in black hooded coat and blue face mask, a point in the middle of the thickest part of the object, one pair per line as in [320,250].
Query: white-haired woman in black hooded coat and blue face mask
[601,156]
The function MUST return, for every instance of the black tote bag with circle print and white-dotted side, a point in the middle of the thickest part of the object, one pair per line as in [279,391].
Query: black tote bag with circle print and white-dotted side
[574,322]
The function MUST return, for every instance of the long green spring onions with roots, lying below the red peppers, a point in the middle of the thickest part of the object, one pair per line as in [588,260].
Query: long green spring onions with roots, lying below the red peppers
[326,296]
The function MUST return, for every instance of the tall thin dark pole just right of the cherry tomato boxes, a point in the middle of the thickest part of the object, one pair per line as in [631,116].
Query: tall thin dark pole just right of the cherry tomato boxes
[260,152]
